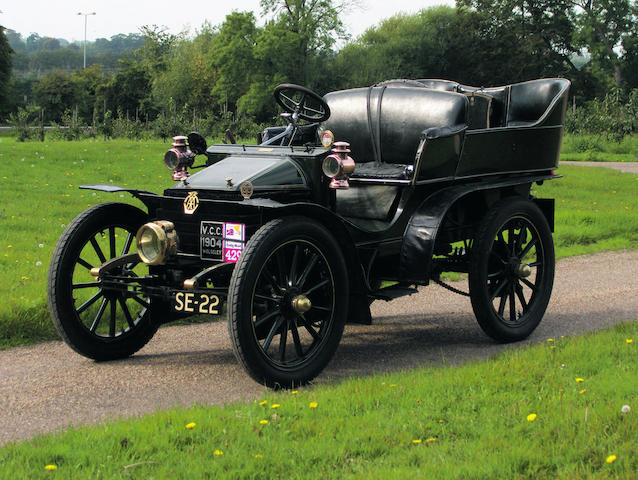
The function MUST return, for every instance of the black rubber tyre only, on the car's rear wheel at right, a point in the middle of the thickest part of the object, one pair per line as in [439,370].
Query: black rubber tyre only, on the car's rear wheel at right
[486,316]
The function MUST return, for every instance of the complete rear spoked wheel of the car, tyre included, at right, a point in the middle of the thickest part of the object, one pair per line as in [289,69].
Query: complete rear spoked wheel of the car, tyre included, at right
[511,270]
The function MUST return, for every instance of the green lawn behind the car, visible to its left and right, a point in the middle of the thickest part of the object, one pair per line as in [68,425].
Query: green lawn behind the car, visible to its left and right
[595,210]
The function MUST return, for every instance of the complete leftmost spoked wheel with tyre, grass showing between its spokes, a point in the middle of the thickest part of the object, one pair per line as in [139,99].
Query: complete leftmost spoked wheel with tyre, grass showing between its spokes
[100,320]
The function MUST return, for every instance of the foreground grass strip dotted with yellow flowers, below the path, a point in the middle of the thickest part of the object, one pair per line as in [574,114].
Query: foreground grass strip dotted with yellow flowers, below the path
[539,412]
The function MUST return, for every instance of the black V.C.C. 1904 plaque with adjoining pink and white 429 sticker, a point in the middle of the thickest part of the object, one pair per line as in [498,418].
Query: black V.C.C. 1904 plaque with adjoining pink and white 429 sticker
[222,241]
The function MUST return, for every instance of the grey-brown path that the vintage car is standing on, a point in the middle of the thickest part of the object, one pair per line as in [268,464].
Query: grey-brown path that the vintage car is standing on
[47,387]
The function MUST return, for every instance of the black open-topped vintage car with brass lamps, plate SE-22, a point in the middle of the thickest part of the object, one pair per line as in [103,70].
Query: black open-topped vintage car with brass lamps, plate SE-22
[299,234]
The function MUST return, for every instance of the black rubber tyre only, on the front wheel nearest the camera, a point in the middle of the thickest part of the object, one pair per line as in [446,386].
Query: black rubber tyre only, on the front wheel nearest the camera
[257,251]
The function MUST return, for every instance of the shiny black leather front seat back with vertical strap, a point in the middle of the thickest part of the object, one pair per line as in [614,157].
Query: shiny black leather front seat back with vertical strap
[396,115]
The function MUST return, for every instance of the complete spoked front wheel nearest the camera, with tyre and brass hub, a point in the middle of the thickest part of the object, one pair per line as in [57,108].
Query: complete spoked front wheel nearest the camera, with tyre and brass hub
[288,299]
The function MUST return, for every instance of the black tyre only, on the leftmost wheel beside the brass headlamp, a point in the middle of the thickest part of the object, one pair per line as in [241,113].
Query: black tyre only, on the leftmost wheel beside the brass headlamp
[63,262]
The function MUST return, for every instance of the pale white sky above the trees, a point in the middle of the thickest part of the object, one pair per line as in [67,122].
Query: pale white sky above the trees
[59,19]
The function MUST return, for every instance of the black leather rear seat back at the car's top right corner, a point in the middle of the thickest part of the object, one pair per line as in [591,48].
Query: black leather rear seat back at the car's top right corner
[530,102]
